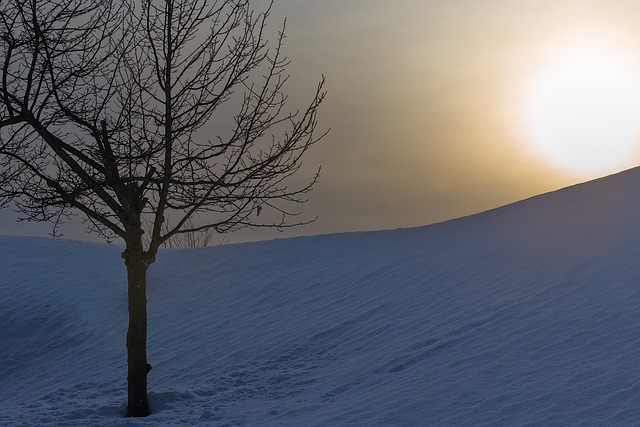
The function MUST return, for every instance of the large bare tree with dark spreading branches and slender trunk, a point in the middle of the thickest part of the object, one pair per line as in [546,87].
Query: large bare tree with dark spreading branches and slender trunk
[103,107]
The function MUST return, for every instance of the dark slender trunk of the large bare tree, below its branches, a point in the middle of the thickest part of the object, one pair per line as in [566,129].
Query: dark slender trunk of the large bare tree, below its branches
[137,334]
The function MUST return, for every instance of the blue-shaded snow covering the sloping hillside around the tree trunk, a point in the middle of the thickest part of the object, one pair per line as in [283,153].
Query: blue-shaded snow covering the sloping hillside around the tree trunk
[528,314]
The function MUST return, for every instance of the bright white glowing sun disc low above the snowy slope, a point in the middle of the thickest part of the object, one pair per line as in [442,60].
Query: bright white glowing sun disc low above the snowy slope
[583,113]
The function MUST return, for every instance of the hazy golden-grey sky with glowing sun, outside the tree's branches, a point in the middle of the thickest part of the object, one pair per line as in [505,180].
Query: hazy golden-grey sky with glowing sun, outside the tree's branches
[437,108]
